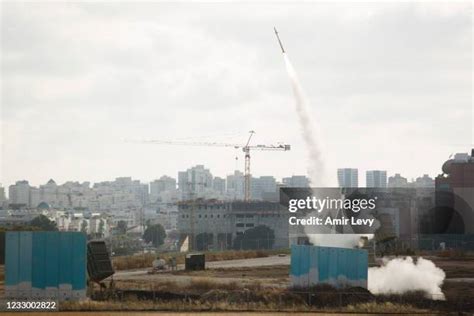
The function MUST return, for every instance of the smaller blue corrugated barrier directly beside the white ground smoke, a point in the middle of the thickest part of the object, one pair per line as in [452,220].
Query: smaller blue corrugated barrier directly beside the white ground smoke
[339,267]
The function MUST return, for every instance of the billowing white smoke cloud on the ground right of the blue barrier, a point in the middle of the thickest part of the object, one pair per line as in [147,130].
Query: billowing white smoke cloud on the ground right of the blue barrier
[401,275]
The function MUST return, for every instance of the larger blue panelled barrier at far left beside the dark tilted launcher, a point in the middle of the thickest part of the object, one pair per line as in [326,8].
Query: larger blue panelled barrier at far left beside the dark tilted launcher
[45,265]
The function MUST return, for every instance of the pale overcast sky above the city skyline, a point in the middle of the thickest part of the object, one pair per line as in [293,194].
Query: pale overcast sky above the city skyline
[389,84]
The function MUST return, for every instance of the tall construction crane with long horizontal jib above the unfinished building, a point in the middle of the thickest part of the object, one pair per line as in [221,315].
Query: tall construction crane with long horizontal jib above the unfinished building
[246,148]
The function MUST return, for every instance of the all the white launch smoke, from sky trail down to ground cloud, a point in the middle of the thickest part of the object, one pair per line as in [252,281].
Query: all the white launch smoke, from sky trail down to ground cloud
[396,275]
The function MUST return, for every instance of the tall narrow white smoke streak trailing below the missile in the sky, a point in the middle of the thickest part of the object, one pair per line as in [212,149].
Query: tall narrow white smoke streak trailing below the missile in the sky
[317,167]
